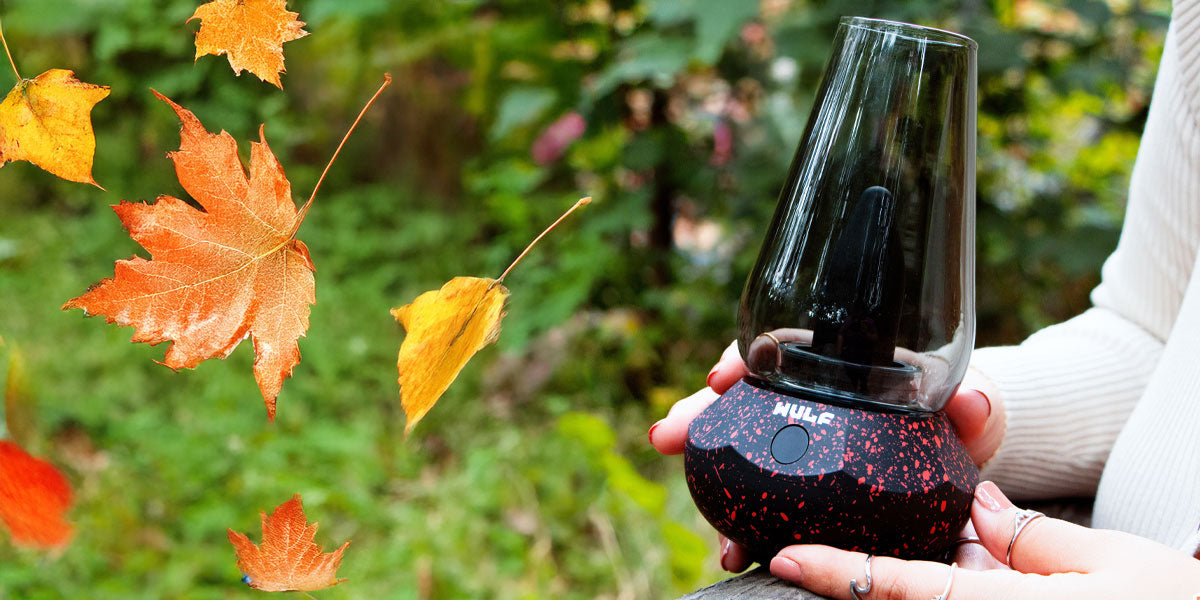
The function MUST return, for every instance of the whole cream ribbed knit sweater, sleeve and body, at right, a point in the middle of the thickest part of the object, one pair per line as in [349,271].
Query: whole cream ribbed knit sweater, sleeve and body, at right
[1108,404]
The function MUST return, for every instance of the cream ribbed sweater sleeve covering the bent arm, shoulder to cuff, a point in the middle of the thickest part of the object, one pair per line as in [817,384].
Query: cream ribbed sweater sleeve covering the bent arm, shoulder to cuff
[1069,389]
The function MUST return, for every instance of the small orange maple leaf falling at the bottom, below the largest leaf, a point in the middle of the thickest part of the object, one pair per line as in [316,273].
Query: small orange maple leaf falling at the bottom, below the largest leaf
[289,560]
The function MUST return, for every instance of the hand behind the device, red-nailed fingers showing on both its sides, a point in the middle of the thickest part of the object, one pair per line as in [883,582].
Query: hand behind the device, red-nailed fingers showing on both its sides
[976,412]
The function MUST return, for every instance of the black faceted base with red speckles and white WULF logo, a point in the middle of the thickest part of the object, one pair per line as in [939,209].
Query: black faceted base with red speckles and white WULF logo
[893,484]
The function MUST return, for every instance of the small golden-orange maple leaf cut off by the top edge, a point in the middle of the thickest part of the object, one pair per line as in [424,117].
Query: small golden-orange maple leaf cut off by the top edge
[249,33]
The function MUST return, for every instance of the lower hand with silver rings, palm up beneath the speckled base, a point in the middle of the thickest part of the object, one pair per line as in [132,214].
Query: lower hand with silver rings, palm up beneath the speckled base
[1052,560]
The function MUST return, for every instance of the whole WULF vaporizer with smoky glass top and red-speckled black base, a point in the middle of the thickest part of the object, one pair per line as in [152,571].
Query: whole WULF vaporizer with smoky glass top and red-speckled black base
[859,319]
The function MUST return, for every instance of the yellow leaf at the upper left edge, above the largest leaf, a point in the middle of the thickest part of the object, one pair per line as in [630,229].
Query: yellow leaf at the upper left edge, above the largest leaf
[47,122]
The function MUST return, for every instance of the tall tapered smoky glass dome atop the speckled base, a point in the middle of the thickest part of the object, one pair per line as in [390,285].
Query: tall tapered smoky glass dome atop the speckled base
[865,289]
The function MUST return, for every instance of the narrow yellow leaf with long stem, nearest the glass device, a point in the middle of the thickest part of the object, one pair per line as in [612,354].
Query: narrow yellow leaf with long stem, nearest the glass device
[445,328]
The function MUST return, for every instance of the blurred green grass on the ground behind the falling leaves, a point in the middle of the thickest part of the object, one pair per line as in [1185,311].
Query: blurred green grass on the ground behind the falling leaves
[499,494]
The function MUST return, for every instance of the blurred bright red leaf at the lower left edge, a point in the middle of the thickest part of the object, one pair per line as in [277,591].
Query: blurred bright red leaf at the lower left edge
[34,497]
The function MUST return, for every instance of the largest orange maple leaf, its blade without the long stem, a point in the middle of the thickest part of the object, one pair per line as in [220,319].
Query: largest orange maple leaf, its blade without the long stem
[220,275]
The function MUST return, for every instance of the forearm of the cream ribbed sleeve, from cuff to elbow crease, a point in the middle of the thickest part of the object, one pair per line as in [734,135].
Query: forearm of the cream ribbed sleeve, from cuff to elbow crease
[1066,394]
